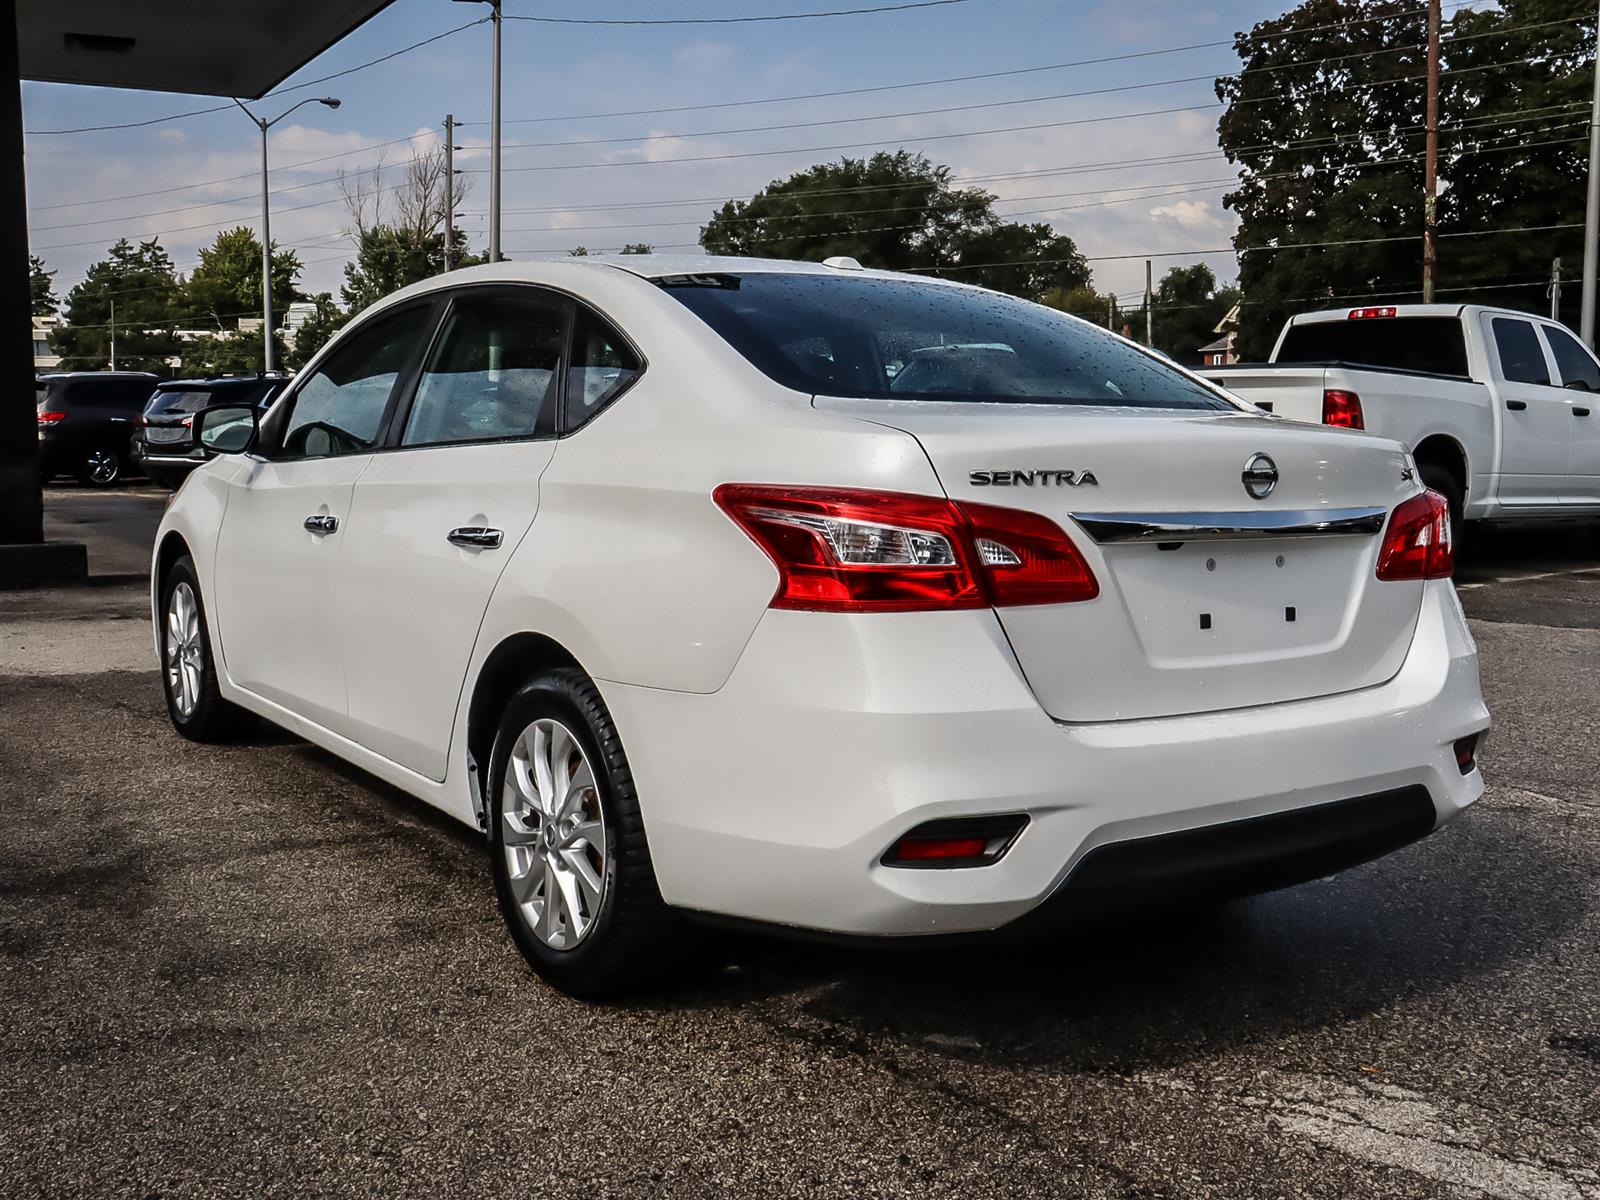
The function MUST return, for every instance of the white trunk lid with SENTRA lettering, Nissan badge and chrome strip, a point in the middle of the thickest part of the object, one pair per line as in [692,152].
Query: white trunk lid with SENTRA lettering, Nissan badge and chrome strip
[1212,598]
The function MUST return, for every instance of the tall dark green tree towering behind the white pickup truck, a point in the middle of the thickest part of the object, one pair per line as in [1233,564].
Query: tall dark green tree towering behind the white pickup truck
[1326,122]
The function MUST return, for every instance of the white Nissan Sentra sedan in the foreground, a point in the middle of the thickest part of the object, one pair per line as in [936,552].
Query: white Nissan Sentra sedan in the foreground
[820,598]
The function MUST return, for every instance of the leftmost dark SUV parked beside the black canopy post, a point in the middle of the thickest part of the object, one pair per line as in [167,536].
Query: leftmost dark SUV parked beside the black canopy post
[87,422]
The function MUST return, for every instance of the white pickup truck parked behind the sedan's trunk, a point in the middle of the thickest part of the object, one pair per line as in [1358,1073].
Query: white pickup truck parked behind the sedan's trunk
[1500,409]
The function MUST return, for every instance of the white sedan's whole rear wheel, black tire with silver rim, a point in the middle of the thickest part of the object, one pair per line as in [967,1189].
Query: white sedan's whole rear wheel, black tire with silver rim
[572,866]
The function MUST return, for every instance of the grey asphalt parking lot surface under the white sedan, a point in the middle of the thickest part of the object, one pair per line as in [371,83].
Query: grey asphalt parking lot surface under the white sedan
[257,972]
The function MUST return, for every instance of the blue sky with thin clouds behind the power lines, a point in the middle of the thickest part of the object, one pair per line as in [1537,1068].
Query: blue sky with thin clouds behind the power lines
[615,191]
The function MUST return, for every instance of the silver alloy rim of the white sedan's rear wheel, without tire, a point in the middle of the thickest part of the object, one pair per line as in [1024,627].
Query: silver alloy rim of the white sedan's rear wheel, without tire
[554,836]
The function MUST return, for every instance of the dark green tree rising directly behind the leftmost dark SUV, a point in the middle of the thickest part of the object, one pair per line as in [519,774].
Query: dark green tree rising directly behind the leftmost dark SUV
[146,292]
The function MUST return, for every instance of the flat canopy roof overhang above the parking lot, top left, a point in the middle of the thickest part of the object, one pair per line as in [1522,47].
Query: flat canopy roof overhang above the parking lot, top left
[206,47]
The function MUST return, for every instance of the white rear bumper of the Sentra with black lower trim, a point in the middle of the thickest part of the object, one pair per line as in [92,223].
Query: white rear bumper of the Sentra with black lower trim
[775,798]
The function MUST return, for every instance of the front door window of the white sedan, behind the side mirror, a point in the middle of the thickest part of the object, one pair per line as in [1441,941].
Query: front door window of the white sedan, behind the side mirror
[342,407]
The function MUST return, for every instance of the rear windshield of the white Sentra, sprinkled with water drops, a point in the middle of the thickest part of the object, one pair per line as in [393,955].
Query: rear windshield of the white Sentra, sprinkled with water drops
[902,340]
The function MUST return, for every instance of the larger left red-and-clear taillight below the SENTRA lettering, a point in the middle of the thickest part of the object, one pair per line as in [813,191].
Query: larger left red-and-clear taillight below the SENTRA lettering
[857,551]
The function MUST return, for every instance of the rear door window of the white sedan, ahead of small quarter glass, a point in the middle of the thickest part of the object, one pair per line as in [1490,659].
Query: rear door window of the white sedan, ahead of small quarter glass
[494,374]
